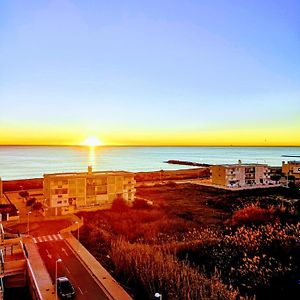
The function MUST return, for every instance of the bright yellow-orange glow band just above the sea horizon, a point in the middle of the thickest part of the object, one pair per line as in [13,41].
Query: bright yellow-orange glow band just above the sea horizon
[143,137]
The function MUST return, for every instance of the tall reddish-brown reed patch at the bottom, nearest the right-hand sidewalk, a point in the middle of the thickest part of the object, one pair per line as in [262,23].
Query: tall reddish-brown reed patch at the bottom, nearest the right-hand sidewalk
[155,271]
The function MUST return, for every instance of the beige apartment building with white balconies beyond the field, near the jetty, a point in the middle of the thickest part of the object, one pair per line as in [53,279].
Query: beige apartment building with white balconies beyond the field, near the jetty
[240,175]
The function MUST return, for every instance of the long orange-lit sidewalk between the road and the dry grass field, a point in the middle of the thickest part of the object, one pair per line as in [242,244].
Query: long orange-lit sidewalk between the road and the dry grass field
[108,284]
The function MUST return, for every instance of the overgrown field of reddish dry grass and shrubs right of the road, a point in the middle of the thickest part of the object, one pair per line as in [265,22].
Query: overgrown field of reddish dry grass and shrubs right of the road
[162,249]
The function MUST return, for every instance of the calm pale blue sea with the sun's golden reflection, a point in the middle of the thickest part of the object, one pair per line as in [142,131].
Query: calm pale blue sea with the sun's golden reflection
[17,162]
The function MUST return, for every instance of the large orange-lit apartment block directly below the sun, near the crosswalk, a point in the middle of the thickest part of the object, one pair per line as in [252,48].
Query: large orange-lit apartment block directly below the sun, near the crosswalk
[68,192]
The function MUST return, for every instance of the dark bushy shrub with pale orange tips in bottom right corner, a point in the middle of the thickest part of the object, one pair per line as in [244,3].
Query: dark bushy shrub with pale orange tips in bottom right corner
[253,258]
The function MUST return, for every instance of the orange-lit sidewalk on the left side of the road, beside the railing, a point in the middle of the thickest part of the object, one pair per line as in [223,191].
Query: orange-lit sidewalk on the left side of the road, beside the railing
[40,272]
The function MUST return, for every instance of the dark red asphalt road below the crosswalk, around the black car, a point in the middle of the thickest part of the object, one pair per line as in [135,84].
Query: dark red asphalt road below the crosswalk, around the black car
[81,279]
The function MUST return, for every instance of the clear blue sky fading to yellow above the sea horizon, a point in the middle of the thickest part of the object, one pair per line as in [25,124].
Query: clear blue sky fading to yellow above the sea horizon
[150,72]
